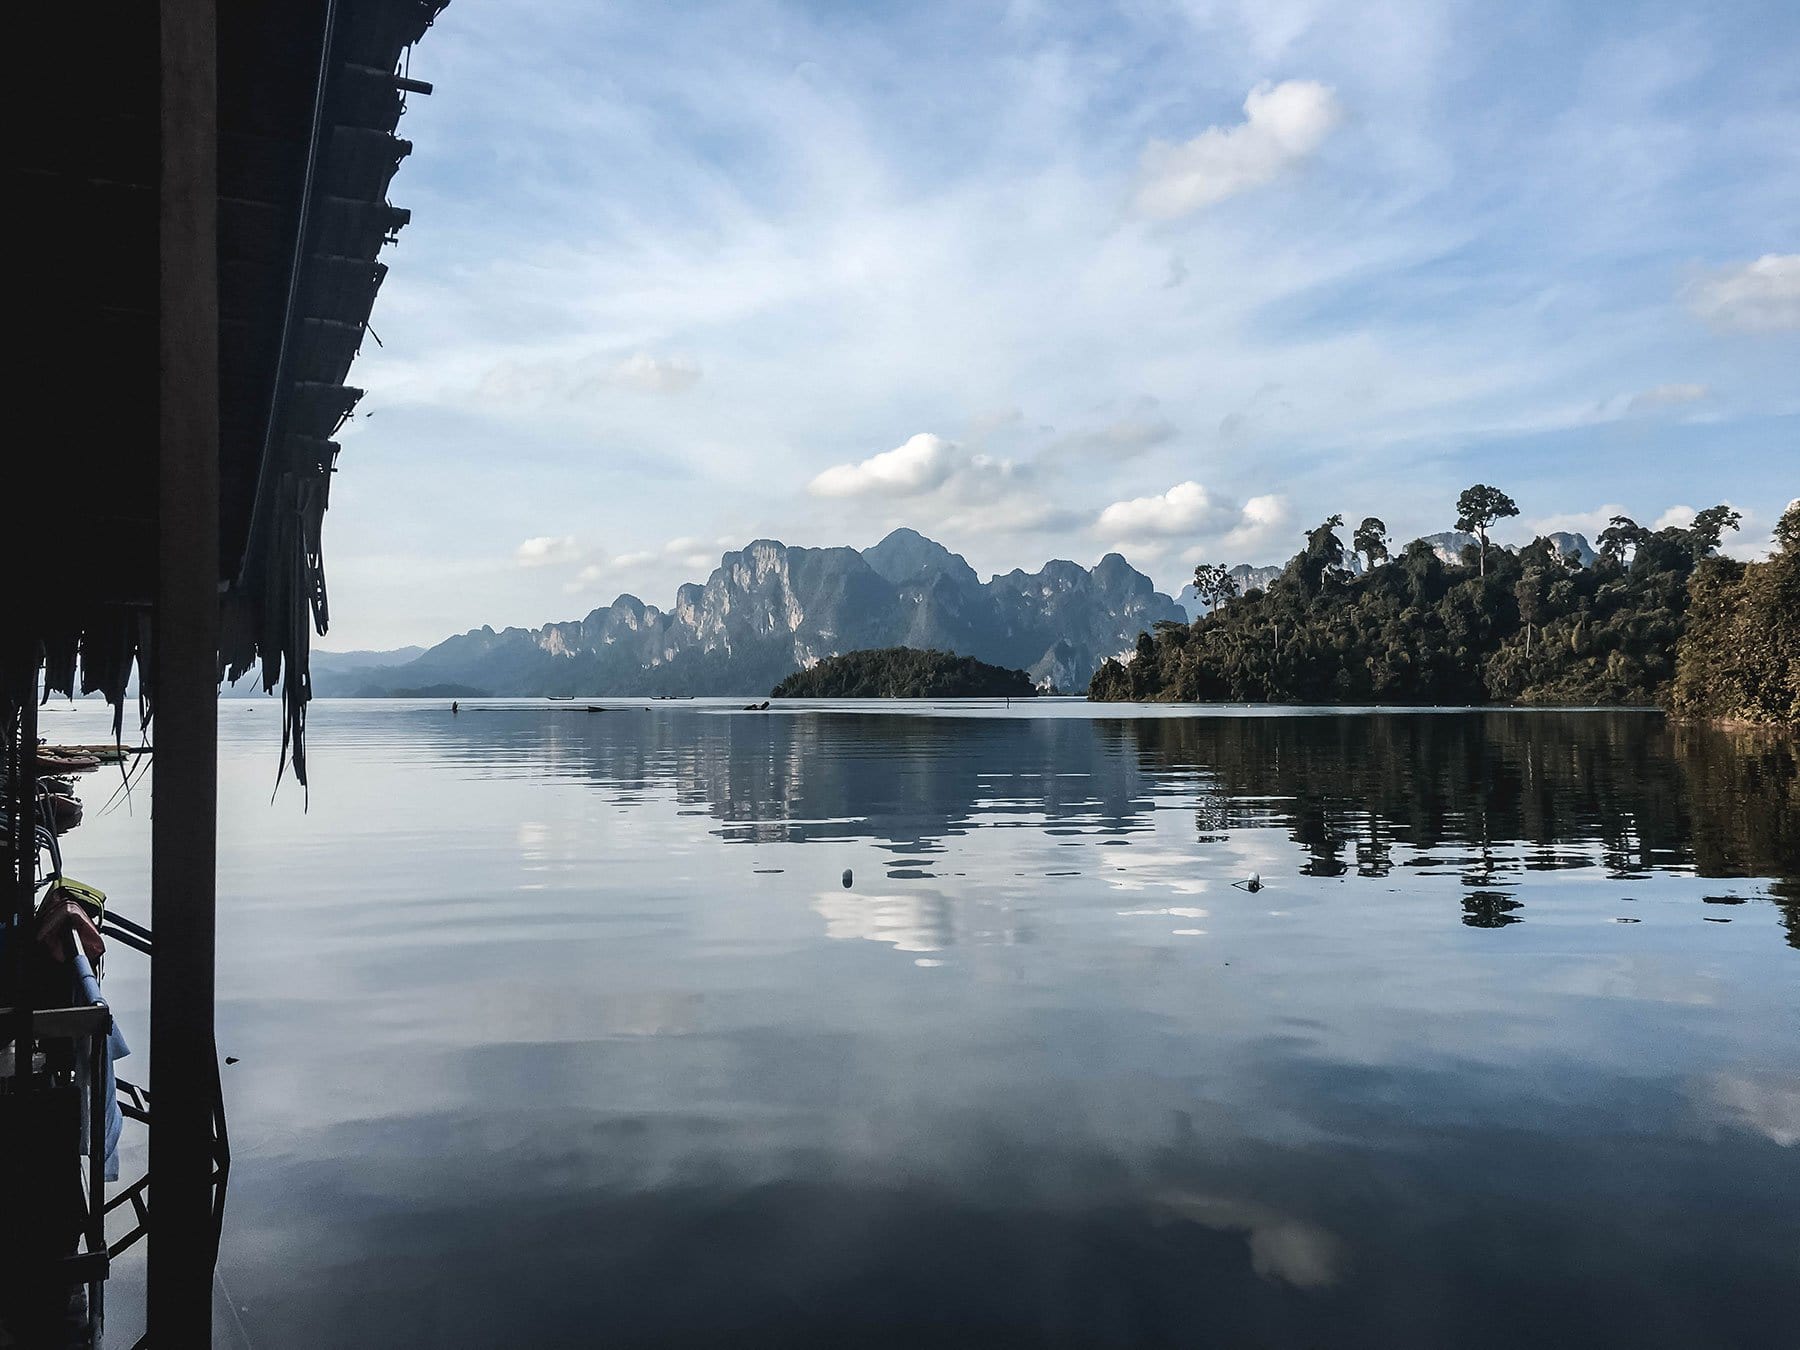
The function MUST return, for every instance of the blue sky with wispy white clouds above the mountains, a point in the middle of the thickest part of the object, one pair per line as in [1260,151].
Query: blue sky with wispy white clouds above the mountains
[1169,278]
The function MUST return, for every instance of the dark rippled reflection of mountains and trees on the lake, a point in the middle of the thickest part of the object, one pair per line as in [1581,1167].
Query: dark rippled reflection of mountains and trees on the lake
[1482,796]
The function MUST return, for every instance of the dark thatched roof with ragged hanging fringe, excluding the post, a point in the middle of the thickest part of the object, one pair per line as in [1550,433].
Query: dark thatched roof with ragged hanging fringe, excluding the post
[310,96]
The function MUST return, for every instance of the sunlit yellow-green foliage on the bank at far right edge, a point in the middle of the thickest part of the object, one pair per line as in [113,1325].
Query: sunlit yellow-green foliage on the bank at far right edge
[1740,660]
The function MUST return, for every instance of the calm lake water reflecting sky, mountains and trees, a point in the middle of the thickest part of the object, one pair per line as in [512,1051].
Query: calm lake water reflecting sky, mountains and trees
[564,1029]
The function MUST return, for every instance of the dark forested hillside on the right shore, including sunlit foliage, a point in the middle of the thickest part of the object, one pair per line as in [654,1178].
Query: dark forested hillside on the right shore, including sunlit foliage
[1657,618]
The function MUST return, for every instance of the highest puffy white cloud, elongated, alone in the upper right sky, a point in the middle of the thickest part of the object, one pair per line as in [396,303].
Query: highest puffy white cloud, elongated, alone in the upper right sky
[1282,127]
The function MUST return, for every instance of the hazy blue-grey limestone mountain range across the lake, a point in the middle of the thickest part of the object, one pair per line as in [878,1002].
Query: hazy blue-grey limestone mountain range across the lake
[771,609]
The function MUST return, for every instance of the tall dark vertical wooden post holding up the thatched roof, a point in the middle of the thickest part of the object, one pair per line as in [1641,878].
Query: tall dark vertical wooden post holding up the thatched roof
[184,685]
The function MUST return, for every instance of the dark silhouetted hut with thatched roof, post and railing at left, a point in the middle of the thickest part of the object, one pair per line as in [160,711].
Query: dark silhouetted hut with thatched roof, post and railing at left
[204,204]
